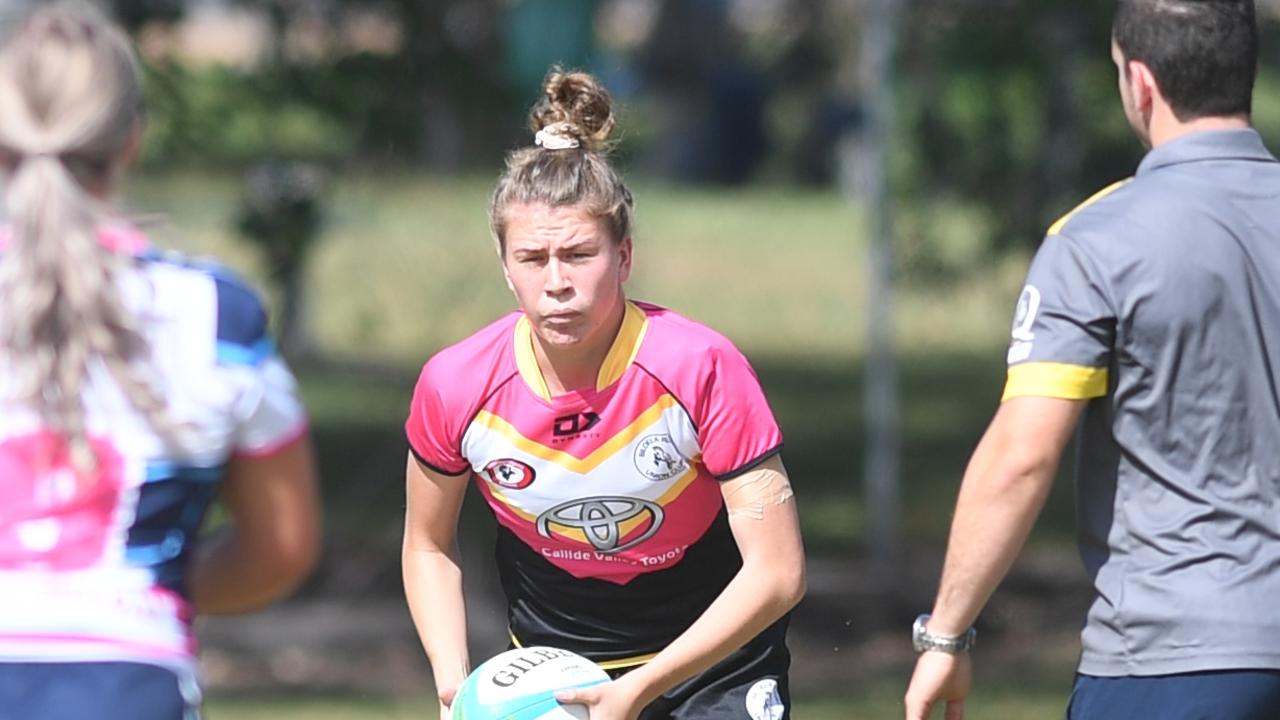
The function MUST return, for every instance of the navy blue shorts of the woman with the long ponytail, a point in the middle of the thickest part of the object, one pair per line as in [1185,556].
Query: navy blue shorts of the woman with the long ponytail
[103,691]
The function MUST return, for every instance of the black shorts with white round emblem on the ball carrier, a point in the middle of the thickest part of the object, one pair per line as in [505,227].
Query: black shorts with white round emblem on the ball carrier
[749,685]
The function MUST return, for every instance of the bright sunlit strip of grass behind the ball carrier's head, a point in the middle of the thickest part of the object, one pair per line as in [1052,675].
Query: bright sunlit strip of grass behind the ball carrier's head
[406,266]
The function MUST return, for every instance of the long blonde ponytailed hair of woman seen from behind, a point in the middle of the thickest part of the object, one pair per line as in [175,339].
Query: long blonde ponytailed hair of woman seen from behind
[71,104]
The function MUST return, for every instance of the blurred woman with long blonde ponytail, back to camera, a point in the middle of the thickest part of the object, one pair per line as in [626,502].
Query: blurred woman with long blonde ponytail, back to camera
[135,391]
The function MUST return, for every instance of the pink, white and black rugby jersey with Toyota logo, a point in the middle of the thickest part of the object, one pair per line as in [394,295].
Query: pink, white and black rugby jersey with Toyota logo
[607,500]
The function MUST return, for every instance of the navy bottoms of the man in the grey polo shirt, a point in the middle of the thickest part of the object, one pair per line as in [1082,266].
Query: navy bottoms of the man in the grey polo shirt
[1219,695]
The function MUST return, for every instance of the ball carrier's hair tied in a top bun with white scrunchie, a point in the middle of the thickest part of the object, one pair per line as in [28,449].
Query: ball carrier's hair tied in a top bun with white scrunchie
[578,111]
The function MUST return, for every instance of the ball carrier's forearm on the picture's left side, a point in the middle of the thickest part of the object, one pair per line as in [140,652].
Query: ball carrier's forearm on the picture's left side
[433,587]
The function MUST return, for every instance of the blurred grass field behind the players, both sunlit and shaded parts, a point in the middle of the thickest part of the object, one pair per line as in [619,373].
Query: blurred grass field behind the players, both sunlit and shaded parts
[406,268]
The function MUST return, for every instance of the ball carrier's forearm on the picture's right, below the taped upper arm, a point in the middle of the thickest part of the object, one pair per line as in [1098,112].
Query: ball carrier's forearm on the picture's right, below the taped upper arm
[761,594]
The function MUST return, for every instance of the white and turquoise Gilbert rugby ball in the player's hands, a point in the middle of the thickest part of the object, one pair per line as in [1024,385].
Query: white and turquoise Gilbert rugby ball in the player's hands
[522,685]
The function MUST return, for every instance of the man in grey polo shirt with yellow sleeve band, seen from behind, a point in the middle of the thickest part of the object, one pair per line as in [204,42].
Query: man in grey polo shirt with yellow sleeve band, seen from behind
[1151,320]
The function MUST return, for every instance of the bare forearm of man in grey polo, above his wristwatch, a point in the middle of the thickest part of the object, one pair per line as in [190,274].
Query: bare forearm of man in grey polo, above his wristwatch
[1002,495]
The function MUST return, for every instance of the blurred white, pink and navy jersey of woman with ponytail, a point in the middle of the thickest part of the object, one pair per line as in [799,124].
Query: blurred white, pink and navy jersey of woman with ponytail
[93,568]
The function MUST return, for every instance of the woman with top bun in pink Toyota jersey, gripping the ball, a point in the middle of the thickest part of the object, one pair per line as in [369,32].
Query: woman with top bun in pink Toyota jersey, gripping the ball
[629,455]
